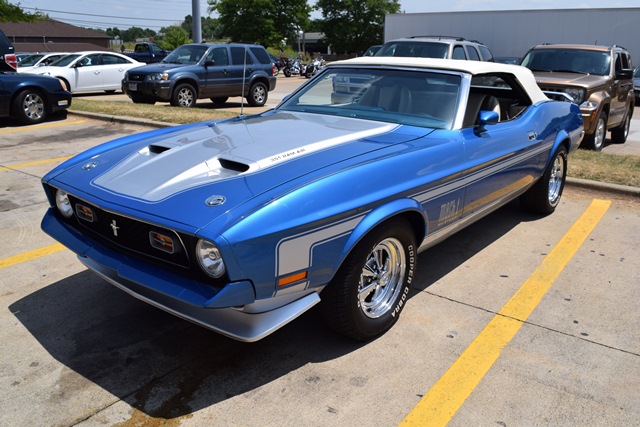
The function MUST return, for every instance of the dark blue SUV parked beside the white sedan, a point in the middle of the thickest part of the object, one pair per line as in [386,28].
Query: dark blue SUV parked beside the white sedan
[201,70]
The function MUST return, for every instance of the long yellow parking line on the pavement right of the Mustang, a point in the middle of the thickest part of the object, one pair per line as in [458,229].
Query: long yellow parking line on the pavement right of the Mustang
[443,400]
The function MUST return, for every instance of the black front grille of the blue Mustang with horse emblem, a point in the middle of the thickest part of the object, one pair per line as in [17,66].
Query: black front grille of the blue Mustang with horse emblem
[128,233]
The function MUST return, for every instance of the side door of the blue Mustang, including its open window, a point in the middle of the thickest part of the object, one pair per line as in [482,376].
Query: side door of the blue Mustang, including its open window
[505,157]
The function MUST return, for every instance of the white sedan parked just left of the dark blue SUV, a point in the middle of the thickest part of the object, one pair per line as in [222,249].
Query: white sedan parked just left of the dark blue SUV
[90,71]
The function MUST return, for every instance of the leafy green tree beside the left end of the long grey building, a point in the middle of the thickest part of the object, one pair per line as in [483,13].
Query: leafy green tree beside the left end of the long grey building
[353,25]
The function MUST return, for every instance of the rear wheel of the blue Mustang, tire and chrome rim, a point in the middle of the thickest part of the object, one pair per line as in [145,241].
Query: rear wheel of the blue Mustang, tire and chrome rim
[544,196]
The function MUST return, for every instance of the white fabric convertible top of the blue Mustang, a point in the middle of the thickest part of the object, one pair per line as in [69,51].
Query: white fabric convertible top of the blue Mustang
[523,74]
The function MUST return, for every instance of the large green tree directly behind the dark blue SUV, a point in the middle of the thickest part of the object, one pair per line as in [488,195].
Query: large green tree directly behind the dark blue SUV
[266,22]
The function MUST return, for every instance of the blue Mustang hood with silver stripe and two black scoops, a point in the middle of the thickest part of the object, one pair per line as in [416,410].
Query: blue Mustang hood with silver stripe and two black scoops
[233,160]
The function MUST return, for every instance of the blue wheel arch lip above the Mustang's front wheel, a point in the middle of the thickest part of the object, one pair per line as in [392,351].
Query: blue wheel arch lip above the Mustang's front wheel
[407,207]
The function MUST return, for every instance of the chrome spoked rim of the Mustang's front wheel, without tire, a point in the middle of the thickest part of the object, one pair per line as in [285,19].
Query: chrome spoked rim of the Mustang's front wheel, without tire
[382,278]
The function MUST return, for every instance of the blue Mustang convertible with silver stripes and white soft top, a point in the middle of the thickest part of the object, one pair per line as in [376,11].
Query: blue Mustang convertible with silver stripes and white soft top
[229,225]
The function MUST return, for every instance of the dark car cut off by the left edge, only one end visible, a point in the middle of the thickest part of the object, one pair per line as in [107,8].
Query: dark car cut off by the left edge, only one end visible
[31,99]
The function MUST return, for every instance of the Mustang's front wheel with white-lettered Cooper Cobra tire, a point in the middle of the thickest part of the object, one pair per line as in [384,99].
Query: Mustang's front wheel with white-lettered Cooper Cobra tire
[371,288]
